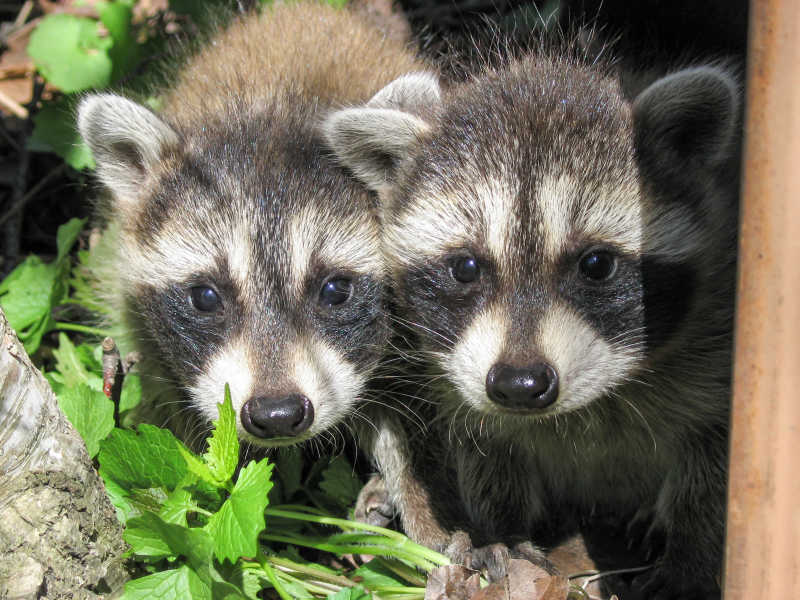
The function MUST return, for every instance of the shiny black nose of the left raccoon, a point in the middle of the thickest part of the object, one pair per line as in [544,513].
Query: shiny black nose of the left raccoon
[277,417]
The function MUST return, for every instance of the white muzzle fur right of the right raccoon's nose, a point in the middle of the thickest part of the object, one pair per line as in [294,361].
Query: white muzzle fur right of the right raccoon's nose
[586,364]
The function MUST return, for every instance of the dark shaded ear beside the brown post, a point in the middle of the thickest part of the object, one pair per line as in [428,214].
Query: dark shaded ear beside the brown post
[686,121]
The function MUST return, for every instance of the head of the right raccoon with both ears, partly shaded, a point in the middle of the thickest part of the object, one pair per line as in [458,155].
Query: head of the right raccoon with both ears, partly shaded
[548,237]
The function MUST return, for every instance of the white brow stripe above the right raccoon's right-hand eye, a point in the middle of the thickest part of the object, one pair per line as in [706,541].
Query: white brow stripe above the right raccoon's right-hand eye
[568,209]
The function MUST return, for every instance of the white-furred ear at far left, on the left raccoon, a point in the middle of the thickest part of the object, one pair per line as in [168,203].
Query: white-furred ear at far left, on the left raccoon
[126,140]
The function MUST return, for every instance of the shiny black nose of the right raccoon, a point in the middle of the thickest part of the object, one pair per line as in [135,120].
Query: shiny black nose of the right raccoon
[532,387]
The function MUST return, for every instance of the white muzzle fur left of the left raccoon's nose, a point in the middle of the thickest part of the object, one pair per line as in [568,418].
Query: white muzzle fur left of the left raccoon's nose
[232,365]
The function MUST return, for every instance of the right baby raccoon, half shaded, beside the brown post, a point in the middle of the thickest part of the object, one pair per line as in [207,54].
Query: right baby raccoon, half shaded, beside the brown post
[566,257]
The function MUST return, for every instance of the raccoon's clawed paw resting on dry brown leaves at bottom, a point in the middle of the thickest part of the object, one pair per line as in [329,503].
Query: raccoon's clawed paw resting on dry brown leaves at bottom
[493,559]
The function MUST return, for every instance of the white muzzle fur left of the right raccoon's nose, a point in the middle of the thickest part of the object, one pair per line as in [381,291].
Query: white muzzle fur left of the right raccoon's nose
[468,364]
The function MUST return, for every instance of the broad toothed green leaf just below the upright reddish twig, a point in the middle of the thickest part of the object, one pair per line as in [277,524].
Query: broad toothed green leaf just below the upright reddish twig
[149,459]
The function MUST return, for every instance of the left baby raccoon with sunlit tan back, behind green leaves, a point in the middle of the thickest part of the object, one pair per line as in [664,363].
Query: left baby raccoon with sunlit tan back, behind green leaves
[239,252]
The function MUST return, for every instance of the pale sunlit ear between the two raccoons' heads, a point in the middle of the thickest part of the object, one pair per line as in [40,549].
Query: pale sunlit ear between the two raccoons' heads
[372,140]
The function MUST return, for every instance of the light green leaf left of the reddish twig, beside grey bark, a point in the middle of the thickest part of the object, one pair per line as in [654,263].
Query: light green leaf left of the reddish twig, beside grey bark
[89,411]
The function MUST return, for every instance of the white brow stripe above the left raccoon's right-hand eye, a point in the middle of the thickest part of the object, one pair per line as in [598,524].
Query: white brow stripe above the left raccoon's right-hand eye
[349,244]
